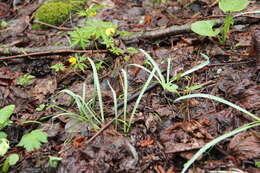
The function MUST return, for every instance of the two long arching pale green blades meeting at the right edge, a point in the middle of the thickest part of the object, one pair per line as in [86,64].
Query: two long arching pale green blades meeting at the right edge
[220,138]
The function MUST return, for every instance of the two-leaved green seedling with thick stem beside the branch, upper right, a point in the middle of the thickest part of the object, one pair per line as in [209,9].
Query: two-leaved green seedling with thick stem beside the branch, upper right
[205,28]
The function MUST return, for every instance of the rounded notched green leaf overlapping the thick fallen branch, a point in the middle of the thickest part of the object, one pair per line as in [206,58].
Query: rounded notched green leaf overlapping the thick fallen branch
[205,28]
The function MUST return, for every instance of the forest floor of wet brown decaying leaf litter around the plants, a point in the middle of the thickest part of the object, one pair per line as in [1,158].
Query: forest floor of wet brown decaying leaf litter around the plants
[164,134]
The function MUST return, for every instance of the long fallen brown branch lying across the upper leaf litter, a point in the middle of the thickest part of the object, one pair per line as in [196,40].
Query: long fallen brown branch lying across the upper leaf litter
[173,30]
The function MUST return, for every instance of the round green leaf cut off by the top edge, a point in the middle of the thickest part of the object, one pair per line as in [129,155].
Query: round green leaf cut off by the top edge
[232,5]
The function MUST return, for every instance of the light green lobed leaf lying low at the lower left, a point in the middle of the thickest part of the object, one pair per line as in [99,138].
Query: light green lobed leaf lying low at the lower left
[33,140]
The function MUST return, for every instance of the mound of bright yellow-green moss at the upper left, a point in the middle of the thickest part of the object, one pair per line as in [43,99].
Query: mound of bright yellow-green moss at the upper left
[53,13]
